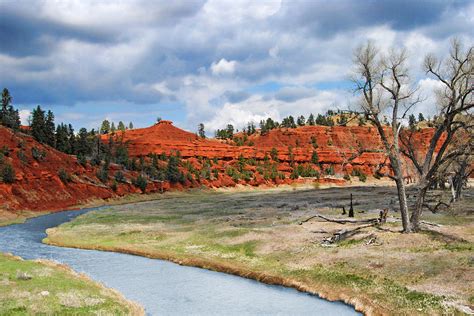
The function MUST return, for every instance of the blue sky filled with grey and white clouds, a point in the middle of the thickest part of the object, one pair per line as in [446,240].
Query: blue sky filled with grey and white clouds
[215,62]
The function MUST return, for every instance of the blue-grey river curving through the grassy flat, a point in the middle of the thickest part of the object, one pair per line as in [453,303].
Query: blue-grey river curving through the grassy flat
[162,287]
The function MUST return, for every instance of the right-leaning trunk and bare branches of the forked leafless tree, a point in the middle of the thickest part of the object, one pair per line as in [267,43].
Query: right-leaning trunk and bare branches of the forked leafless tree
[455,103]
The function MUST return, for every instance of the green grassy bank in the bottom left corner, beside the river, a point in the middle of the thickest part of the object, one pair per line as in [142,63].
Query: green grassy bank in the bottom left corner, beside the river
[46,288]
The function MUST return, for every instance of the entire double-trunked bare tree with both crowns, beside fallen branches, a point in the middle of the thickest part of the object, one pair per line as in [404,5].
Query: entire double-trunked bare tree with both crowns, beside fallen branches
[386,91]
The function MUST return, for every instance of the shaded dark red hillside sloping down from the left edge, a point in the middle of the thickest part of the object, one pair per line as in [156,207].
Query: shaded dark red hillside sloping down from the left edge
[37,184]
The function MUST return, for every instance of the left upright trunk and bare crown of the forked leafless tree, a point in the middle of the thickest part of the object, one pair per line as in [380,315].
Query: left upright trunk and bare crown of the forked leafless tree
[384,85]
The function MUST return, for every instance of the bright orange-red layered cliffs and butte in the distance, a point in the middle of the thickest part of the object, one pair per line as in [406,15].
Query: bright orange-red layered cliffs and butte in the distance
[343,147]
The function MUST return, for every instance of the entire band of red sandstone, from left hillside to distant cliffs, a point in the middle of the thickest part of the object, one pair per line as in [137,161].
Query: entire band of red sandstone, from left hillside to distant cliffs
[38,185]
